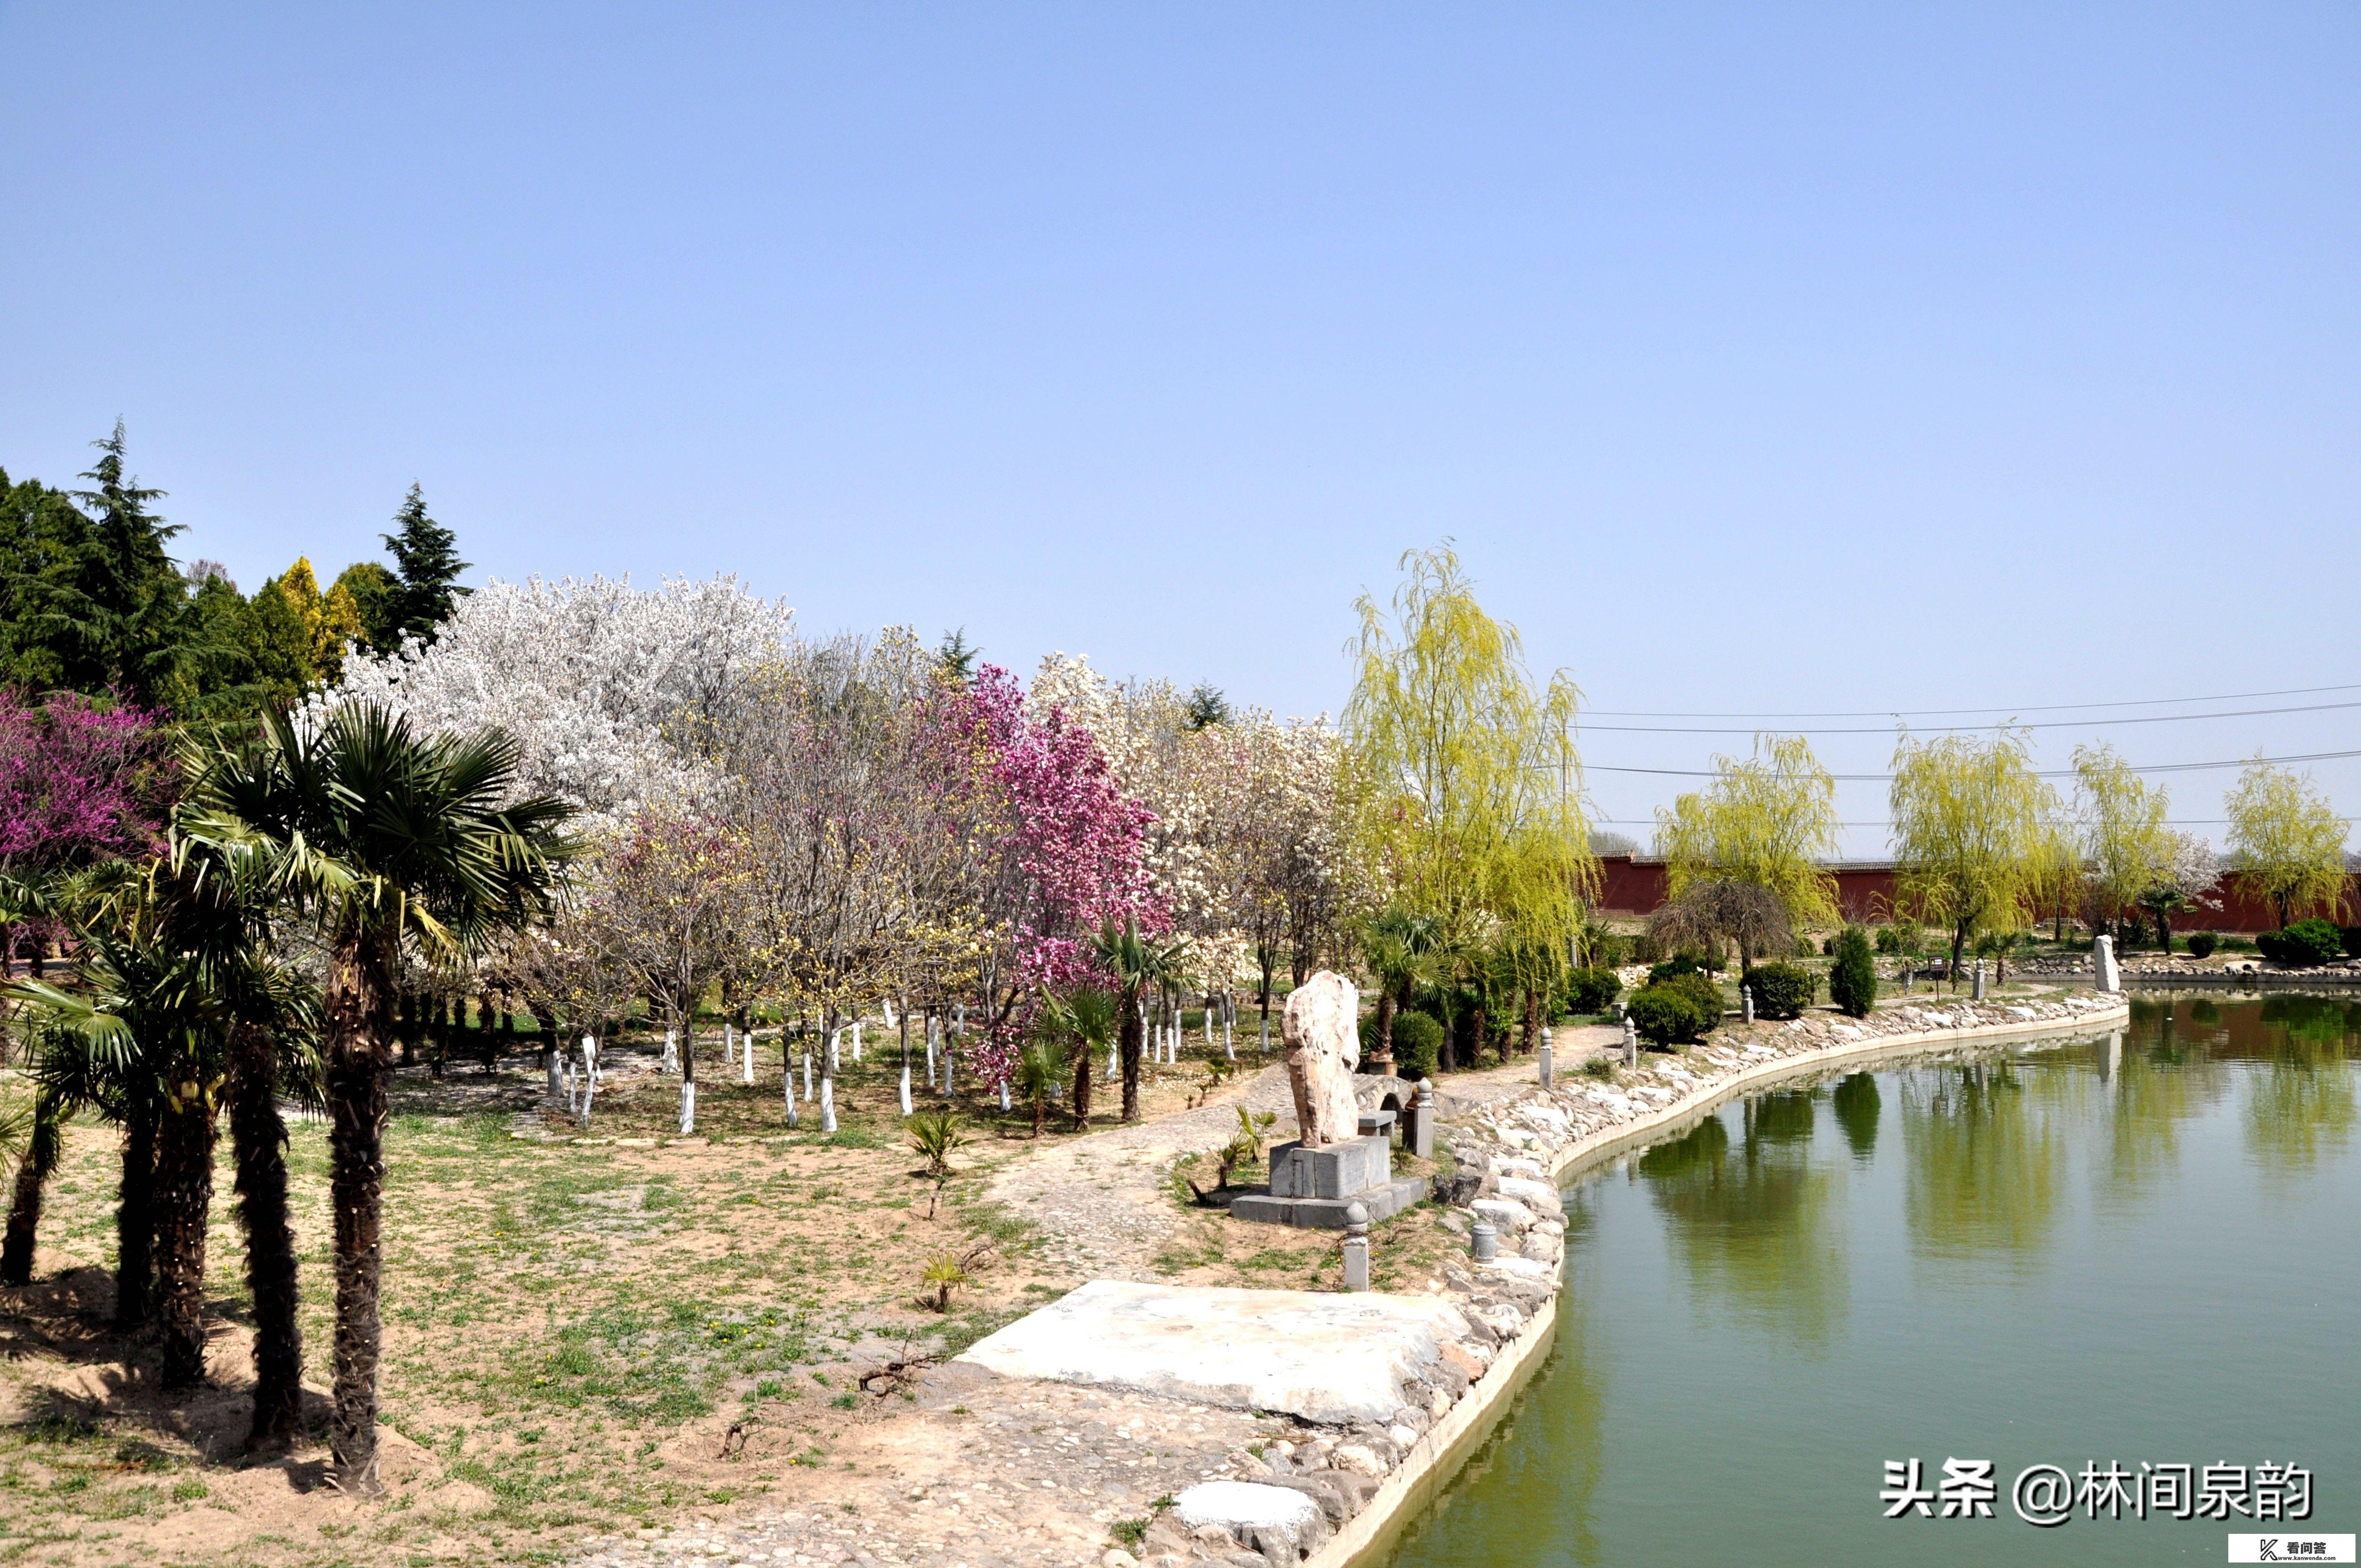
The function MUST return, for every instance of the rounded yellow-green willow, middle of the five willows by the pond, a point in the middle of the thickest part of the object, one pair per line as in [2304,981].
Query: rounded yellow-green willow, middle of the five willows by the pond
[1973,828]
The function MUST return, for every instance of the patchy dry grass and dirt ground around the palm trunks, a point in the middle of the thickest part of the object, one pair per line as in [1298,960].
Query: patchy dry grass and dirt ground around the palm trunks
[582,1340]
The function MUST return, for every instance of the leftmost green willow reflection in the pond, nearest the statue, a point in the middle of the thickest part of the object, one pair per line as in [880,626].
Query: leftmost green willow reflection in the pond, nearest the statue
[1753,1222]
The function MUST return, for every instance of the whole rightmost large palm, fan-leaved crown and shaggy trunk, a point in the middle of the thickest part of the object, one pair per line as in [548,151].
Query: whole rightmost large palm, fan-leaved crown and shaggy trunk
[386,837]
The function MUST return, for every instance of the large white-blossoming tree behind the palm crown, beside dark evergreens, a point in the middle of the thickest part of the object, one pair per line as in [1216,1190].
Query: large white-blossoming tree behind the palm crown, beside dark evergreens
[615,693]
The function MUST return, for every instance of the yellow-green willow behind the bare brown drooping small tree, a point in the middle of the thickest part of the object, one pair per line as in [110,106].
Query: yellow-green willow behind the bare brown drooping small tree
[1765,823]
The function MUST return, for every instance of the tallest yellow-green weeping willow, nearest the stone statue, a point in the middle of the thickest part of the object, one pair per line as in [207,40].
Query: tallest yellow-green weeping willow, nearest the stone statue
[1467,780]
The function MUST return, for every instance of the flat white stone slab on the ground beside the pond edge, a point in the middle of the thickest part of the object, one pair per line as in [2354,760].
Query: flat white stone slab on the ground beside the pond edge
[1312,1354]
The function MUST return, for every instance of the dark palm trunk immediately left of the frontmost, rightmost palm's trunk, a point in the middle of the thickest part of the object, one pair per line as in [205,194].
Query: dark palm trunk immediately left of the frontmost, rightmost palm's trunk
[259,1139]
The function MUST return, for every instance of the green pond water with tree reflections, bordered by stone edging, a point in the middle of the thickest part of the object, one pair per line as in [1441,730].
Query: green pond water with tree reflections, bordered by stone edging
[2138,1250]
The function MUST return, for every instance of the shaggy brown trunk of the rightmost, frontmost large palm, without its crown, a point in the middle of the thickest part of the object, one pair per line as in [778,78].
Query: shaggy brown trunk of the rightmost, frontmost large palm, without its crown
[355,1014]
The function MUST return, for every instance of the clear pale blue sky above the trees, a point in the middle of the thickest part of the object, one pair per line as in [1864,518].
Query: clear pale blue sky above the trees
[1758,358]
